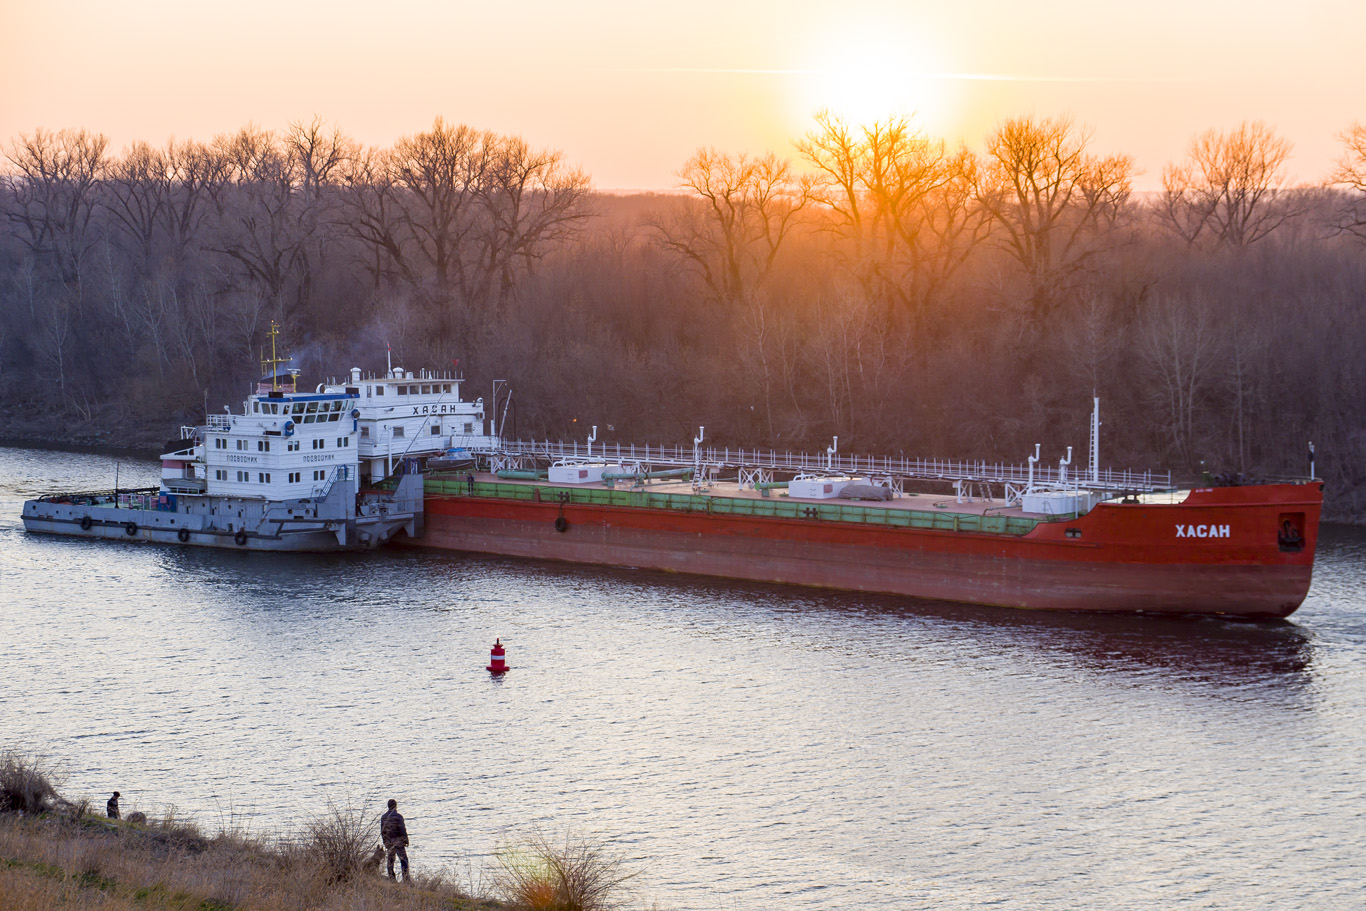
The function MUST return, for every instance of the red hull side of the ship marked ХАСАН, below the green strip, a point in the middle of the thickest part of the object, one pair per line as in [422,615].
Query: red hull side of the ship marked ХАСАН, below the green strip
[1122,558]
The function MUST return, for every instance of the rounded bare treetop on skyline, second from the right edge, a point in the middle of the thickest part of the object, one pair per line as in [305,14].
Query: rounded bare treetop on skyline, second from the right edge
[1230,191]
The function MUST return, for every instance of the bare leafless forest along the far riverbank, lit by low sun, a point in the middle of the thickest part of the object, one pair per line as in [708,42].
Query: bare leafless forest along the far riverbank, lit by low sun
[883,288]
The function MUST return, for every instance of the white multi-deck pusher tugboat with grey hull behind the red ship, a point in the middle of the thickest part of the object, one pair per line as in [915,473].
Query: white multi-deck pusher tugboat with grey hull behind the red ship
[282,476]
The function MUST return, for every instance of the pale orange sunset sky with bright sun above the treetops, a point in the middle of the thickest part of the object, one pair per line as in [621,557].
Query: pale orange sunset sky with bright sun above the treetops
[629,88]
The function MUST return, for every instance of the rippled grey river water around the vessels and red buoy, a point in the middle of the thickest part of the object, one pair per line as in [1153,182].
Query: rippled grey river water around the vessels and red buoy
[745,746]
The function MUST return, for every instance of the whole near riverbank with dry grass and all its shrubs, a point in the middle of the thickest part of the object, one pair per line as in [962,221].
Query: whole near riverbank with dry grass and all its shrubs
[58,853]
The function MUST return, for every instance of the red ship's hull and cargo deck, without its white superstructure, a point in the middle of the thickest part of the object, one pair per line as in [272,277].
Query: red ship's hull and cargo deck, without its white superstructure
[1098,543]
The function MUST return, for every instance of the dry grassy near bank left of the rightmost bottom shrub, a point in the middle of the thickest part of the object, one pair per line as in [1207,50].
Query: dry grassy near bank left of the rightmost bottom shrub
[57,854]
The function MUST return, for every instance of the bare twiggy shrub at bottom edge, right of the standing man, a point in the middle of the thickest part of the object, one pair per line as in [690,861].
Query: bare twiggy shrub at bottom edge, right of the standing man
[581,875]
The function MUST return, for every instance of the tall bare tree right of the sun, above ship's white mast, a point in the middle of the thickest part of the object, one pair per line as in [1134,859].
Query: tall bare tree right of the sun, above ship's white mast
[1050,197]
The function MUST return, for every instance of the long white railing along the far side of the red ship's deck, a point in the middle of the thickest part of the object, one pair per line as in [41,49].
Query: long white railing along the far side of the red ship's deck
[947,471]
